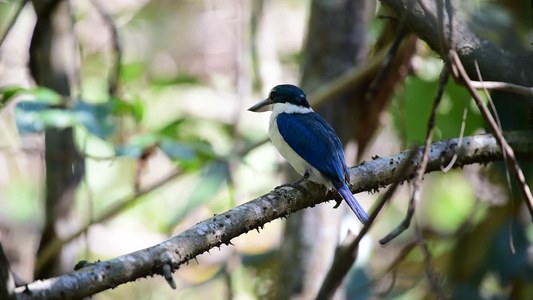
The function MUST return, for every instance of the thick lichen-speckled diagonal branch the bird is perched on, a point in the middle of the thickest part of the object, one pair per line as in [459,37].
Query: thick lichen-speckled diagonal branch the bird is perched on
[220,229]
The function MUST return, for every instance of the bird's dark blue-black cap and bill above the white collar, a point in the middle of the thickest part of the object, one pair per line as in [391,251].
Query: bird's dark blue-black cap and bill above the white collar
[282,94]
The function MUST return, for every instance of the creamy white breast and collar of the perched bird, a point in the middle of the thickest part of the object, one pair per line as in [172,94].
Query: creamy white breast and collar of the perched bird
[296,161]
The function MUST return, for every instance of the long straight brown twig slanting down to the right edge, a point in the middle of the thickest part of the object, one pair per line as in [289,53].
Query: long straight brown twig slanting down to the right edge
[511,159]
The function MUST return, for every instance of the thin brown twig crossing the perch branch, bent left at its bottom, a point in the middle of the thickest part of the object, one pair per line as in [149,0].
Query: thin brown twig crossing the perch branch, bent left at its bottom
[415,197]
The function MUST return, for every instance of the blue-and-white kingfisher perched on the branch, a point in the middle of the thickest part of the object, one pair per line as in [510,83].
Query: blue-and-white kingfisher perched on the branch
[308,142]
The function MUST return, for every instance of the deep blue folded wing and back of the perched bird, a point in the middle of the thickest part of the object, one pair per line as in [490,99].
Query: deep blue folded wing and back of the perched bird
[316,142]
